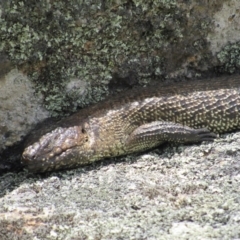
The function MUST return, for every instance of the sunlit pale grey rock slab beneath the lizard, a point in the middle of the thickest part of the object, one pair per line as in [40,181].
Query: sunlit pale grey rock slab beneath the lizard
[185,192]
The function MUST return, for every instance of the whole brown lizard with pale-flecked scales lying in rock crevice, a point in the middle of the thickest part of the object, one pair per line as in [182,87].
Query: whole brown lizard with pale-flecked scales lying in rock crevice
[186,112]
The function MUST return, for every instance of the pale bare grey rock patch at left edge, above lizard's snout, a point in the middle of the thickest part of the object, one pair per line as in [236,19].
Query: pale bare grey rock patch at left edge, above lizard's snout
[20,109]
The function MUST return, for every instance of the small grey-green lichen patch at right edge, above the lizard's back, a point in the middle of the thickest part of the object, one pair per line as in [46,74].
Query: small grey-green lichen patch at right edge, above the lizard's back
[229,58]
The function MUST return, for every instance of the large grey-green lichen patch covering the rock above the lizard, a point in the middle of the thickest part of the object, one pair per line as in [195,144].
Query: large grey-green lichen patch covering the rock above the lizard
[54,41]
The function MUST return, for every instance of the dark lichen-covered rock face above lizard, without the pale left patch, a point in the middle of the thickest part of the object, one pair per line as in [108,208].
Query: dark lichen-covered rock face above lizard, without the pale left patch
[123,42]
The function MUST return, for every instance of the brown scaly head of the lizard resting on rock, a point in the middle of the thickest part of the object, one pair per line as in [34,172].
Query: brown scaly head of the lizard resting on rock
[57,149]
